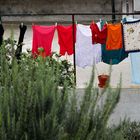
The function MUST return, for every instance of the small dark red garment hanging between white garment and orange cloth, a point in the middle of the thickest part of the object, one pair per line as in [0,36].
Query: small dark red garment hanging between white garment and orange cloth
[97,35]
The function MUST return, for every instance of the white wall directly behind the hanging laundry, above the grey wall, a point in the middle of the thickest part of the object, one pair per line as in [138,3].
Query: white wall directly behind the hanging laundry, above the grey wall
[83,75]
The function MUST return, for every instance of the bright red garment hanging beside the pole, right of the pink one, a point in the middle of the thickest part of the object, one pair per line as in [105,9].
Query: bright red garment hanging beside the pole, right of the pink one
[65,39]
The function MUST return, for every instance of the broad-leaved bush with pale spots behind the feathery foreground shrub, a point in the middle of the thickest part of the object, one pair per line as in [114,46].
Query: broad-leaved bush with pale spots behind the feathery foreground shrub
[62,67]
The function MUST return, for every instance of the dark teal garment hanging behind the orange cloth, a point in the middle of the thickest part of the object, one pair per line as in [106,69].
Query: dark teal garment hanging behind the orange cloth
[112,56]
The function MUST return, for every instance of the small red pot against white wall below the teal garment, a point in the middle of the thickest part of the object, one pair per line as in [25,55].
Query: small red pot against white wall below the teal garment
[103,80]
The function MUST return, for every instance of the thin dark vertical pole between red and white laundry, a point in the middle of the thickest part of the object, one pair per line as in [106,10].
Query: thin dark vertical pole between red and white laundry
[74,54]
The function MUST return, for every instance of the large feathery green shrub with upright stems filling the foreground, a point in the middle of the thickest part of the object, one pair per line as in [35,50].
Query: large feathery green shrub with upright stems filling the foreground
[34,107]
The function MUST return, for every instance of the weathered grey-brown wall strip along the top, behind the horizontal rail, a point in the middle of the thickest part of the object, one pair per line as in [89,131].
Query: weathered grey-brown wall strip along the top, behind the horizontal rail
[56,6]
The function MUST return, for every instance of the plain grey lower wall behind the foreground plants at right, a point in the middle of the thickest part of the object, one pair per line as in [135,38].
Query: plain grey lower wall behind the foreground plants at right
[127,108]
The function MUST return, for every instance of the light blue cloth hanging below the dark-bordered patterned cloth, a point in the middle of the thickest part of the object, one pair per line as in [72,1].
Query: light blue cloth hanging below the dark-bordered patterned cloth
[135,67]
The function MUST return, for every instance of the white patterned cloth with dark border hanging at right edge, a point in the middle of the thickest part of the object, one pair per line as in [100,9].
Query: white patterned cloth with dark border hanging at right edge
[132,36]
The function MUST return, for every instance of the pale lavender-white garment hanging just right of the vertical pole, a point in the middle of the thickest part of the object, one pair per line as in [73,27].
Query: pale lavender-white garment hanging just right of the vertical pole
[87,54]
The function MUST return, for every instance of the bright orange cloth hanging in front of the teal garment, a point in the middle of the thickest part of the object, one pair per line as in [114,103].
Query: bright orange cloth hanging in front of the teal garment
[114,36]
